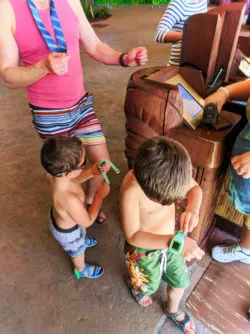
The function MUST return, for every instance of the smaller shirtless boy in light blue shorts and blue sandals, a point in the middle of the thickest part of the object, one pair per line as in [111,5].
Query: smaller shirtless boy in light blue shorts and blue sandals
[64,159]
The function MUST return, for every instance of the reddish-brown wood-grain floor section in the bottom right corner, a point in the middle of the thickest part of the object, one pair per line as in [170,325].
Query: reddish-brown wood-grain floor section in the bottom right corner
[222,297]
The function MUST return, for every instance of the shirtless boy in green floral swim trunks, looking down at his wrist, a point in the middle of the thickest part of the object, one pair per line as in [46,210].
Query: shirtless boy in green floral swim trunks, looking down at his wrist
[162,175]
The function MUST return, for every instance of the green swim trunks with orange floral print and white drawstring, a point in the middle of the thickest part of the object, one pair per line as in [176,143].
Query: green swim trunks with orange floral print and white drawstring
[147,267]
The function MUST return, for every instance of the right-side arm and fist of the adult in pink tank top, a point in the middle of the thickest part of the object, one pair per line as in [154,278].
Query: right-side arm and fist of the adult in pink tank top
[99,50]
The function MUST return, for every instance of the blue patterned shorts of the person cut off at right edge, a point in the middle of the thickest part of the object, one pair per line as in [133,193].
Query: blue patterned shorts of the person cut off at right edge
[238,187]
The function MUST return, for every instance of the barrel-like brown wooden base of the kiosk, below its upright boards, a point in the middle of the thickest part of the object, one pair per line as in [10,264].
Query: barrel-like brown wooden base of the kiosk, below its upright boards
[152,109]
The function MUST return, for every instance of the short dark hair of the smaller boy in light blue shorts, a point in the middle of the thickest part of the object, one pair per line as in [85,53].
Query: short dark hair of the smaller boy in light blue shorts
[61,154]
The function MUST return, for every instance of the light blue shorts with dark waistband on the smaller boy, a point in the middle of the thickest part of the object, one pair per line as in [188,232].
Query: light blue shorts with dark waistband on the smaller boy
[72,240]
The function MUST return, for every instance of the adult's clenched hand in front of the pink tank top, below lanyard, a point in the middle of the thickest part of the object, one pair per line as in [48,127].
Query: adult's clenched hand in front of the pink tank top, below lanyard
[57,63]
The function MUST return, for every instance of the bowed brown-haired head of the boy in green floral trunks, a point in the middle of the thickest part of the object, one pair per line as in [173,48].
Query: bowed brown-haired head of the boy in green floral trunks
[163,169]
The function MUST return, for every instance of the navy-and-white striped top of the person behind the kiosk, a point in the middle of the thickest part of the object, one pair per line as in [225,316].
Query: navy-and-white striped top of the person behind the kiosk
[173,19]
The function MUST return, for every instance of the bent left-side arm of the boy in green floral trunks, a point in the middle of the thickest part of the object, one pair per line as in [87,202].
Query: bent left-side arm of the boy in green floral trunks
[130,219]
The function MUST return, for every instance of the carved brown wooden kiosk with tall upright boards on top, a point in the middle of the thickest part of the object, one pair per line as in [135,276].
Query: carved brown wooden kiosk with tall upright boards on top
[155,107]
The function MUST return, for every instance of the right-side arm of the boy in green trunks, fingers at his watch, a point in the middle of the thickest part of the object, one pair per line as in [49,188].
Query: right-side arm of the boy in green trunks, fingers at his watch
[190,217]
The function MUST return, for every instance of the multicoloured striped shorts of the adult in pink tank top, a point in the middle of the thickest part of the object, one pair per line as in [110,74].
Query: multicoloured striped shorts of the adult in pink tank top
[79,120]
